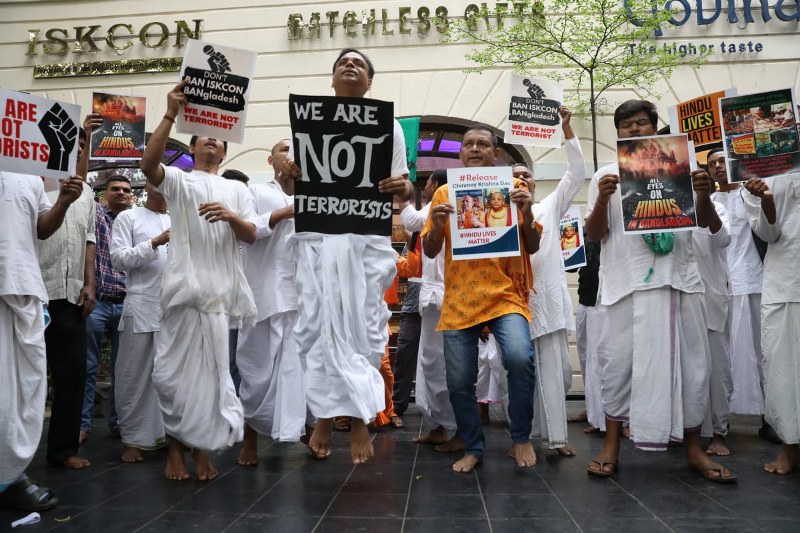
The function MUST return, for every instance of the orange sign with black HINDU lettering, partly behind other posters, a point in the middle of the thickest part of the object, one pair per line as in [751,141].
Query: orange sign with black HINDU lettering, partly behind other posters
[699,118]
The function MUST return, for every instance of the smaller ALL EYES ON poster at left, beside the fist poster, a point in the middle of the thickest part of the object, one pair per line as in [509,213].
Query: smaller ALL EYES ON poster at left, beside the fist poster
[121,135]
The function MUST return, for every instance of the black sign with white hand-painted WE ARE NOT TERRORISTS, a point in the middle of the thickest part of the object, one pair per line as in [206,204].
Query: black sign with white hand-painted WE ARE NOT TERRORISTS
[343,147]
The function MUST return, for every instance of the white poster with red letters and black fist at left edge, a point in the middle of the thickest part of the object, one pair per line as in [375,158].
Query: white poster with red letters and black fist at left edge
[38,136]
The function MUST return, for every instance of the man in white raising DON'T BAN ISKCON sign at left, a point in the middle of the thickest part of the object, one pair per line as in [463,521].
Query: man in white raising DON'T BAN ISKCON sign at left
[203,290]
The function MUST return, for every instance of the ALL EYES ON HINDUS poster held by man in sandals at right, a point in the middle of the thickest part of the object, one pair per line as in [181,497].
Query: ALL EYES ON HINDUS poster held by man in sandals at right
[656,184]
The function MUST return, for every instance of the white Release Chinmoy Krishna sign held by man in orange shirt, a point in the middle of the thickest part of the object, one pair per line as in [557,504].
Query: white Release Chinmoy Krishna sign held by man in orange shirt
[484,223]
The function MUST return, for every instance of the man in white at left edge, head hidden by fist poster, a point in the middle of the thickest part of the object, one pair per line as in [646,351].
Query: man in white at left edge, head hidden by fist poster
[26,216]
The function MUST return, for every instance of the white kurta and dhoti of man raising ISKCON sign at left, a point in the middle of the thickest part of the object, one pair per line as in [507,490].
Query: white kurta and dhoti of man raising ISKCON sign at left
[203,291]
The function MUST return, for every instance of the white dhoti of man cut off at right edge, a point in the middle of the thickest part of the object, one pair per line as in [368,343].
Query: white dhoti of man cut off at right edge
[780,327]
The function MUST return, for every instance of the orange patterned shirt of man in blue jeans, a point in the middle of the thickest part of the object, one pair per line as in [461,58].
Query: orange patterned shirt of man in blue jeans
[477,290]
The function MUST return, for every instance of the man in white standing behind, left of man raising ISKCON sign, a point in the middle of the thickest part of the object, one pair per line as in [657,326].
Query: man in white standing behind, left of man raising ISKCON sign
[139,248]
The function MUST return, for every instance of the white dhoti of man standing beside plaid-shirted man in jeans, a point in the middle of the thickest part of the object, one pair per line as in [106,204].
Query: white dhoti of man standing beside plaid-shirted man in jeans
[140,420]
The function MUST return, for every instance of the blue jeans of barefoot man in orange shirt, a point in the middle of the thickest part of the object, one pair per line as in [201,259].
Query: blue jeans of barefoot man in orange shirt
[461,362]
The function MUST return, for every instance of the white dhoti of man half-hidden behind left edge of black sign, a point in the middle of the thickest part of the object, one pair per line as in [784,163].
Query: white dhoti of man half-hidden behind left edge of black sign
[272,388]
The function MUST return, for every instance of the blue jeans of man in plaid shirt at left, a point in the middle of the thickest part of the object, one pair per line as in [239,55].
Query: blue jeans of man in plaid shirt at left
[104,319]
